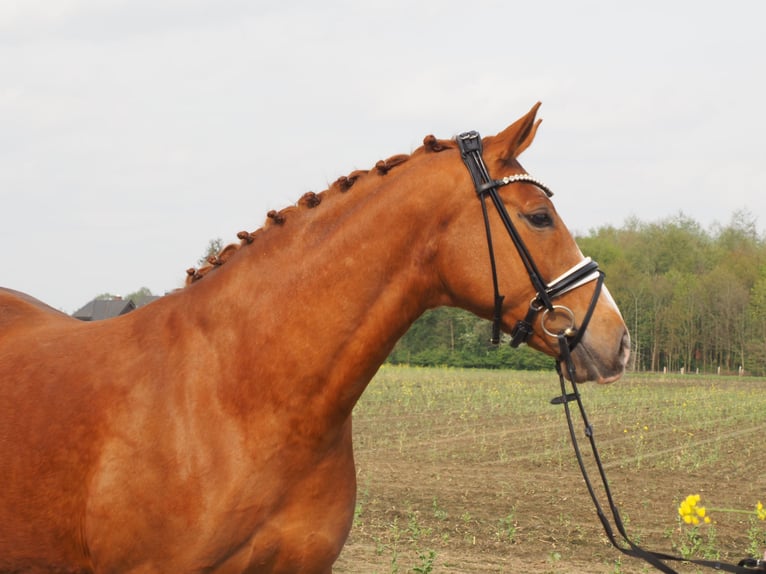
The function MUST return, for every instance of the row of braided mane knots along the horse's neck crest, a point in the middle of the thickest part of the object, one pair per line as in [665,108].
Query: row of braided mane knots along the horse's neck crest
[311,200]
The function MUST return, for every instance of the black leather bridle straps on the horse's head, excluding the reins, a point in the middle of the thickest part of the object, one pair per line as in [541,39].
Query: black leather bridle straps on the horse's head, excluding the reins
[584,272]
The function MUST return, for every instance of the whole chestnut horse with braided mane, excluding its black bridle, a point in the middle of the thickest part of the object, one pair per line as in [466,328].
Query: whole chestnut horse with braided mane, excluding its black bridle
[210,431]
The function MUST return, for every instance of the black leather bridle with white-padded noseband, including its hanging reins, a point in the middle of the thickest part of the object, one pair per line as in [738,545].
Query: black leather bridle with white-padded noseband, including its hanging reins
[584,272]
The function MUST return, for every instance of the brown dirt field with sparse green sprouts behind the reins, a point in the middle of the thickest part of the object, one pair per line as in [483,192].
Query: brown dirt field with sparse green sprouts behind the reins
[473,471]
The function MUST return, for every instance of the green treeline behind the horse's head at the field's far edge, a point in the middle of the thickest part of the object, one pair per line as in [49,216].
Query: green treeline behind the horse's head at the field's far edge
[693,299]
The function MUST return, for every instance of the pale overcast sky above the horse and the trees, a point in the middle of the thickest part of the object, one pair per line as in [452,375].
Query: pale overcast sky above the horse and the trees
[132,132]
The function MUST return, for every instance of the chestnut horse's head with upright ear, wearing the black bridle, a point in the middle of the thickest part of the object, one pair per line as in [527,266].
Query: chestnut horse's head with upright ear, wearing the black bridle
[509,256]
